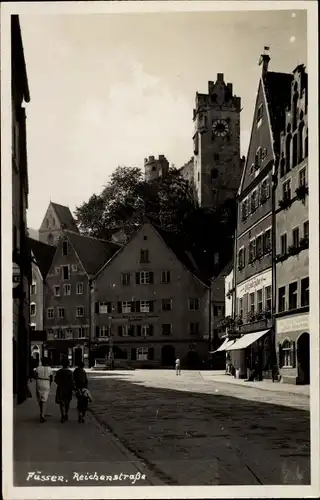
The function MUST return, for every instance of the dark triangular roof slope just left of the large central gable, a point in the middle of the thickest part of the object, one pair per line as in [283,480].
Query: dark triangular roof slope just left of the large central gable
[93,253]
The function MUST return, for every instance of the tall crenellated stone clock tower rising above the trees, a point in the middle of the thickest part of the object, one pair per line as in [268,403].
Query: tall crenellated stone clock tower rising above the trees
[217,164]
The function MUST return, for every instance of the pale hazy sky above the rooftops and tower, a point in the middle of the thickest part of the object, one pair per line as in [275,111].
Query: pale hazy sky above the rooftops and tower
[112,89]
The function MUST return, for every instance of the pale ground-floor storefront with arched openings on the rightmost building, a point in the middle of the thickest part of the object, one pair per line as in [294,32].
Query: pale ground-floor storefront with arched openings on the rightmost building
[293,348]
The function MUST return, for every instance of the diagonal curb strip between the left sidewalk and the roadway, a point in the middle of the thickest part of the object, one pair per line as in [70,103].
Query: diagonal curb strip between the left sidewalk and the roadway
[157,477]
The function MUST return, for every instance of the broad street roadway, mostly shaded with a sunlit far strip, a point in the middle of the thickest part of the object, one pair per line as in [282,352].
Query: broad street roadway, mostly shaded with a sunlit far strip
[194,429]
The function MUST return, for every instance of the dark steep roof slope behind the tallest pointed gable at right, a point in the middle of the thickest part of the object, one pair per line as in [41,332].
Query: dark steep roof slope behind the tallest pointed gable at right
[277,88]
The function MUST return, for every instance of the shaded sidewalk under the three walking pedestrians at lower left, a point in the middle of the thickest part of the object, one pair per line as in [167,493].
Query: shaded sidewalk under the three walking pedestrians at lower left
[70,454]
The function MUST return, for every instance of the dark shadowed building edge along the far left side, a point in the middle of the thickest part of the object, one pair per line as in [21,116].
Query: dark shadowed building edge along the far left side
[20,189]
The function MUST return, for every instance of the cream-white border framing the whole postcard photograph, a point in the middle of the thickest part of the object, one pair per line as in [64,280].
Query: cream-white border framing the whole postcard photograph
[50,8]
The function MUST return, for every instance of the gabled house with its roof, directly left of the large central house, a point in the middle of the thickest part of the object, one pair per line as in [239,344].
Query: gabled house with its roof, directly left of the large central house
[68,296]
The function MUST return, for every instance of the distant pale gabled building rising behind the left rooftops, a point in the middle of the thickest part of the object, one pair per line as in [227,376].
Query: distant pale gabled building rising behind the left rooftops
[57,219]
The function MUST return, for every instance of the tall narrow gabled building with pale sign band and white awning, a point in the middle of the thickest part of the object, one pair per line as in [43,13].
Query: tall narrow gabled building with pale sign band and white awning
[254,236]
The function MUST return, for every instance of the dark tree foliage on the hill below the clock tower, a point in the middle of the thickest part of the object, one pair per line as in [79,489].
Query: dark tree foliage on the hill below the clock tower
[168,202]
